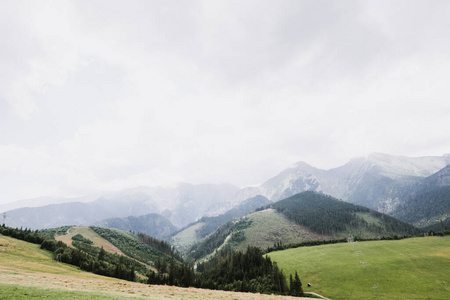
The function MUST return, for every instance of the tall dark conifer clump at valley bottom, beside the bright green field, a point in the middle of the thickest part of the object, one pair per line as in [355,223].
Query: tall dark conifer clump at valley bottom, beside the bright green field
[246,271]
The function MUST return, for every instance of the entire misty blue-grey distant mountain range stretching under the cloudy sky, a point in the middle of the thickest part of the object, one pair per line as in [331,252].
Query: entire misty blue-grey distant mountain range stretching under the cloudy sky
[380,181]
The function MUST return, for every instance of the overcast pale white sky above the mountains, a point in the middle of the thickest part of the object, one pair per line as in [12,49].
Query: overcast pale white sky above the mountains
[108,95]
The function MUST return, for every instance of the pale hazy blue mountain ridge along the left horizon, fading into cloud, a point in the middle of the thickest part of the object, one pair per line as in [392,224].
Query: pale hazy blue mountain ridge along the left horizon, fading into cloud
[181,204]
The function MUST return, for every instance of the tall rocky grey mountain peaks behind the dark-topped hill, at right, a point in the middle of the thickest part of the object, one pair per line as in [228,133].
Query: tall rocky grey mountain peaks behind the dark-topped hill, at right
[374,181]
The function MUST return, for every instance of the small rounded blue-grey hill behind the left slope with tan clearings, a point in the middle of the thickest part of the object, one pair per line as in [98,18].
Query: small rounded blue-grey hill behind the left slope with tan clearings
[153,225]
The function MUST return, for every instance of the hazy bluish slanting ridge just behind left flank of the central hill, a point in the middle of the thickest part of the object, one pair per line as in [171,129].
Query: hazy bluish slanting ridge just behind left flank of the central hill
[194,232]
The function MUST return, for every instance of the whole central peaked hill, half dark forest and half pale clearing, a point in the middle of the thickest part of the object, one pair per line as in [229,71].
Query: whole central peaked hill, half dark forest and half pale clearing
[307,216]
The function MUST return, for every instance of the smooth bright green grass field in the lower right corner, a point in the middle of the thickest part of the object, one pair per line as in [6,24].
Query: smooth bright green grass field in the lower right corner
[416,268]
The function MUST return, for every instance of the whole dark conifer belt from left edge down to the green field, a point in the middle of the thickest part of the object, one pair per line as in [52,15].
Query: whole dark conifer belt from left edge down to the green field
[242,272]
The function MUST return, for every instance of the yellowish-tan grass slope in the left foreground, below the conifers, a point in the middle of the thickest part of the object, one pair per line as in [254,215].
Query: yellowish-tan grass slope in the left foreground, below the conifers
[26,272]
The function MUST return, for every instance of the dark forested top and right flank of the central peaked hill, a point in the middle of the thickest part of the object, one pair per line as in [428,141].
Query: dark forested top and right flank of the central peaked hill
[327,215]
